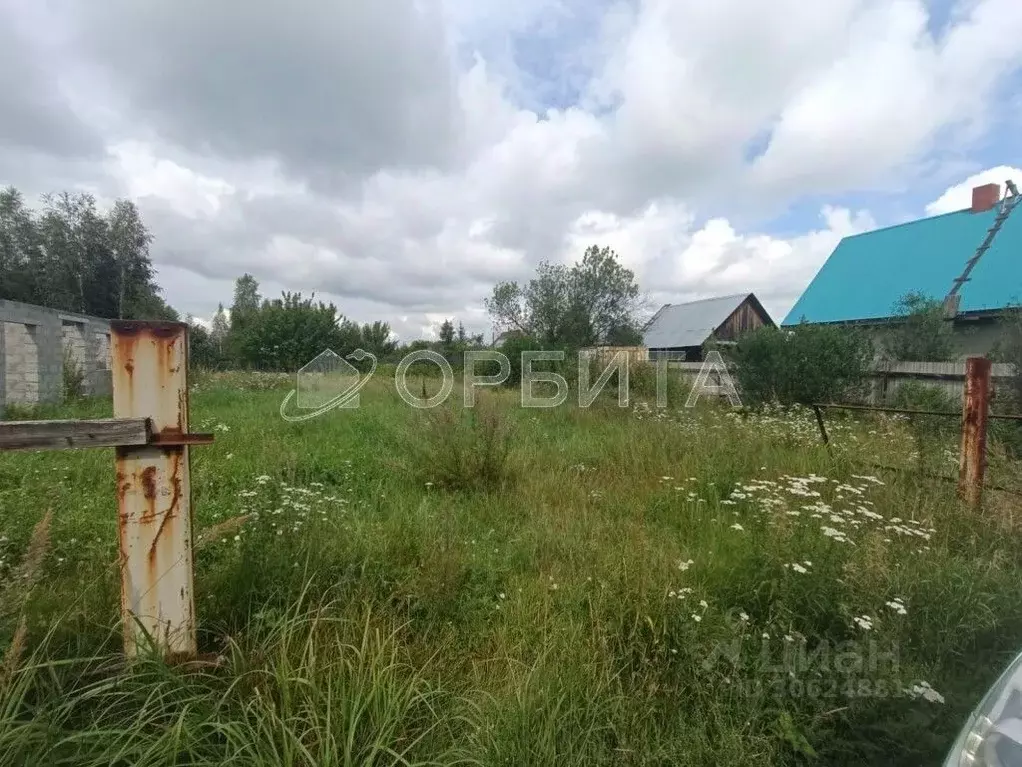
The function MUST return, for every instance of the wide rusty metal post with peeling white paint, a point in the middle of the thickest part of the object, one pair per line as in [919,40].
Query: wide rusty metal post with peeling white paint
[151,381]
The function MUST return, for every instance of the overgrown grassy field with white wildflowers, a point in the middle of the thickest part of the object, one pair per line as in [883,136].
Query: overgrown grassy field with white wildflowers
[517,588]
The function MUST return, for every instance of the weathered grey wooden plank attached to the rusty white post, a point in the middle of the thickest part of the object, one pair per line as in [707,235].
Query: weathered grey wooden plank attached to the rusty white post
[64,435]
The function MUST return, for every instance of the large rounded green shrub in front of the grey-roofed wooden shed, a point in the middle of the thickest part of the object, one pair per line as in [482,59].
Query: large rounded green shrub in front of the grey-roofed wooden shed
[802,366]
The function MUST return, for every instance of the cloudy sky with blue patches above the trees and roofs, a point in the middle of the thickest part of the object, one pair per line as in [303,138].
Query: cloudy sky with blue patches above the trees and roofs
[399,157]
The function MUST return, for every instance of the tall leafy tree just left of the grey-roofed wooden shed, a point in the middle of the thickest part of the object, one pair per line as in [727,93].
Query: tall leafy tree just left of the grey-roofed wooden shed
[579,306]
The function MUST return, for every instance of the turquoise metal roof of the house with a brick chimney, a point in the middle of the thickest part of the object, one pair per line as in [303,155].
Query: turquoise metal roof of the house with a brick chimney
[868,274]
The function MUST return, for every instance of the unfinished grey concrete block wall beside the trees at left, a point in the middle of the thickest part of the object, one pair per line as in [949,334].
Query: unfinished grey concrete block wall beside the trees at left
[32,351]
